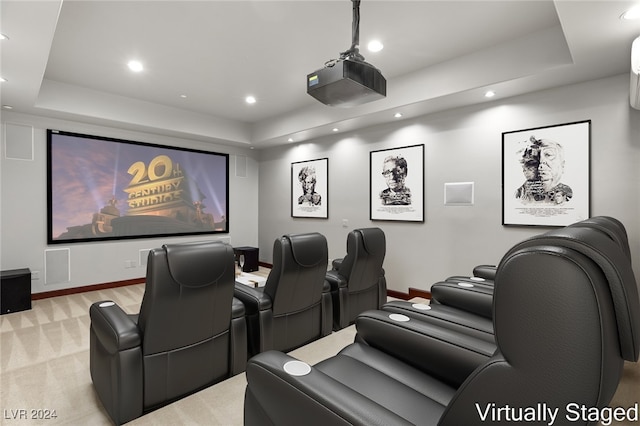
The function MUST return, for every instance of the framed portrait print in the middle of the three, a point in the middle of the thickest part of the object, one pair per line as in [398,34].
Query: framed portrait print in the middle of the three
[397,184]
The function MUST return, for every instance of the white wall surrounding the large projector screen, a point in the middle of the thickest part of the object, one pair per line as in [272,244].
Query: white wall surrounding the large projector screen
[23,210]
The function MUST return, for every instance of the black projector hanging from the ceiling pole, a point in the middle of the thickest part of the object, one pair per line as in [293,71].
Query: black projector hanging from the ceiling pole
[347,83]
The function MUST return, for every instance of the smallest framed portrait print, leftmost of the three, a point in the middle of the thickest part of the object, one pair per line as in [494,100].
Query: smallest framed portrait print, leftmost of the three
[310,188]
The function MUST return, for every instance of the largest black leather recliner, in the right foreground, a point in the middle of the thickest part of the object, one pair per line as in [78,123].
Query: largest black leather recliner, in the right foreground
[562,331]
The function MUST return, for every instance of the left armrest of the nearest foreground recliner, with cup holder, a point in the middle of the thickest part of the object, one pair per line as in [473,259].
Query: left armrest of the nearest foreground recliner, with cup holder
[312,399]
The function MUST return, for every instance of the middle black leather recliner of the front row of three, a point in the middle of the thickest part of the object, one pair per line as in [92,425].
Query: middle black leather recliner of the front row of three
[294,306]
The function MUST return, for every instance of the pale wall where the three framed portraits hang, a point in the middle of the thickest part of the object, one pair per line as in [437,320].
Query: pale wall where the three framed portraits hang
[461,145]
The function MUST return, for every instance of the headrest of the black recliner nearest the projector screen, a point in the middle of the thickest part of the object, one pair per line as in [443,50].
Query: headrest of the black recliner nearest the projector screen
[192,265]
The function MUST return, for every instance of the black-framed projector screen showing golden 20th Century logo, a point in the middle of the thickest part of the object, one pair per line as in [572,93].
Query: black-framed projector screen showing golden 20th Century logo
[109,189]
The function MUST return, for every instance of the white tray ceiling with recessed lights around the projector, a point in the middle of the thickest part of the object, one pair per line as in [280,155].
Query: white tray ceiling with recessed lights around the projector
[67,59]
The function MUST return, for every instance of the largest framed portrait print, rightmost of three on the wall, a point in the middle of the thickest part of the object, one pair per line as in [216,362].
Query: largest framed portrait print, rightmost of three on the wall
[545,175]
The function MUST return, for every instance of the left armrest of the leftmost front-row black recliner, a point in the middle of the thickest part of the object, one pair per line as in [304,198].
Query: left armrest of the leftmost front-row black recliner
[115,330]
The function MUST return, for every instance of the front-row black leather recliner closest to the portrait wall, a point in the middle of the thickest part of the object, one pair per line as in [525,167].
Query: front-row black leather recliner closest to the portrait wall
[357,280]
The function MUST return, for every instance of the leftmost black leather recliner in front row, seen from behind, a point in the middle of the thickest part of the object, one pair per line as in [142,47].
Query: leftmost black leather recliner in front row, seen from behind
[190,332]
